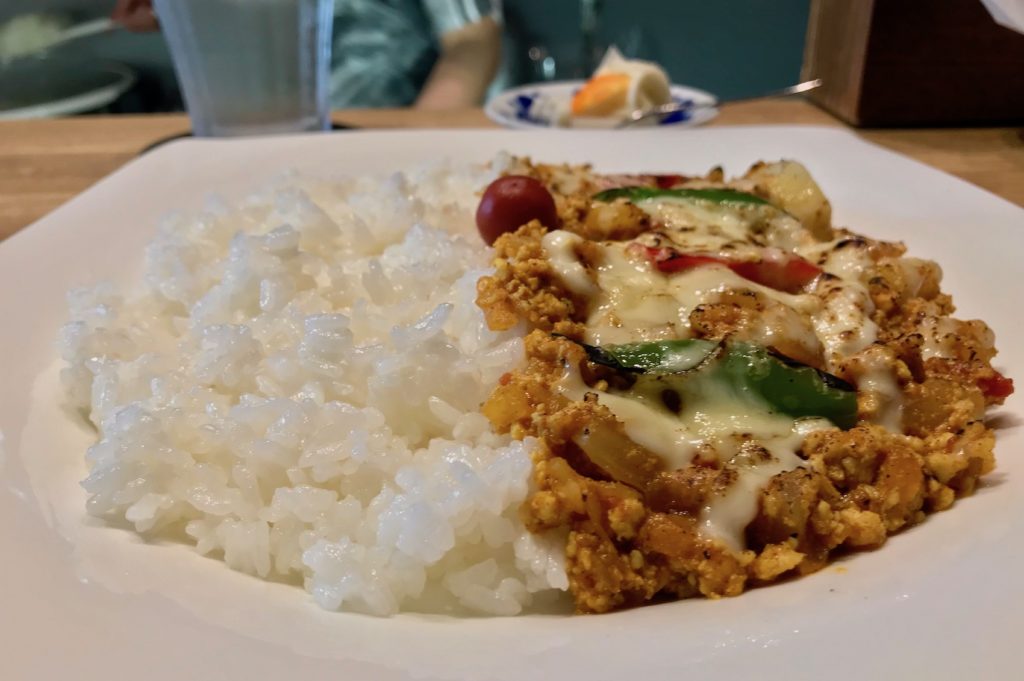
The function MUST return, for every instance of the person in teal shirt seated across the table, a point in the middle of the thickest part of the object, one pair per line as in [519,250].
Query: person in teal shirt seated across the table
[428,54]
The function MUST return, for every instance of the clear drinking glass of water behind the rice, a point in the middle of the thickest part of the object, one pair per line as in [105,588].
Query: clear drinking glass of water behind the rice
[251,67]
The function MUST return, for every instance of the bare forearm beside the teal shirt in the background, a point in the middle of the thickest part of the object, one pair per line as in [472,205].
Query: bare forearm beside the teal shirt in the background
[468,63]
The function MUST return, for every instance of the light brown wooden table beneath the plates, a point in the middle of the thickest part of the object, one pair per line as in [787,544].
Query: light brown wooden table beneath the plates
[46,163]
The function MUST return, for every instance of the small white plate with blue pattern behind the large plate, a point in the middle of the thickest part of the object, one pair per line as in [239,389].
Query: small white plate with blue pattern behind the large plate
[535,107]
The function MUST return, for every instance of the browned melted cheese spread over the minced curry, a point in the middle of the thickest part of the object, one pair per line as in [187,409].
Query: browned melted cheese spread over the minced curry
[630,301]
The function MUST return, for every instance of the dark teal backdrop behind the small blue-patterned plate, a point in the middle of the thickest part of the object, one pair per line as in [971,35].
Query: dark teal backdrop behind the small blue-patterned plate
[731,48]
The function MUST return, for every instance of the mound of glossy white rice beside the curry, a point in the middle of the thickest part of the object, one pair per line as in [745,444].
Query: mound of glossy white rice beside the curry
[297,392]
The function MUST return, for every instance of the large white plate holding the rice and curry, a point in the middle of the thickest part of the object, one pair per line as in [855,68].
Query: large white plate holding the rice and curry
[945,601]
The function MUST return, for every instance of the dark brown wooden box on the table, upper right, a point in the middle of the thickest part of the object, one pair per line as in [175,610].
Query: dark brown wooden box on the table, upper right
[891,63]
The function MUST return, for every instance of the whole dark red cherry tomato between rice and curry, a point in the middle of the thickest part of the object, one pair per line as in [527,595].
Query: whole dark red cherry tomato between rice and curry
[511,202]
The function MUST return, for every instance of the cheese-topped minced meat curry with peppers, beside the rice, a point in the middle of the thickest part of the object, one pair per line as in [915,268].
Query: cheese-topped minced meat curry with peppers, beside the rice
[727,390]
